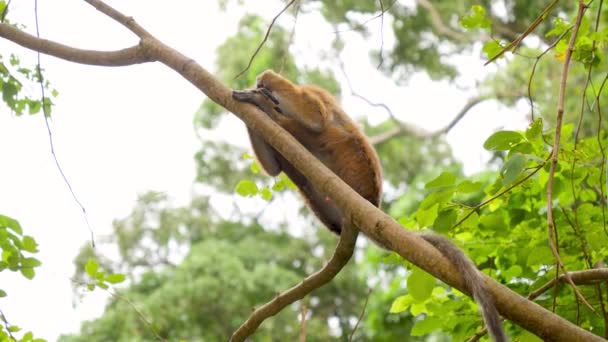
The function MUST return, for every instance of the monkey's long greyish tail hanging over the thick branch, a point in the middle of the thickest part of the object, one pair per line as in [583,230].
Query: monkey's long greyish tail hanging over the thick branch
[473,282]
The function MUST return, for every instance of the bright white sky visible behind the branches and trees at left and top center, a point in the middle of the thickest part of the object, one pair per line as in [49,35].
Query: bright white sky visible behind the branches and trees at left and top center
[123,131]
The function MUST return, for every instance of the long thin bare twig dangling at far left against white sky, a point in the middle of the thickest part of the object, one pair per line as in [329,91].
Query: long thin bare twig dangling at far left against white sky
[47,115]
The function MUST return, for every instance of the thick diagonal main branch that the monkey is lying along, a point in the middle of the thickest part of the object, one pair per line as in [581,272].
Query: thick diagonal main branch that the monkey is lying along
[372,221]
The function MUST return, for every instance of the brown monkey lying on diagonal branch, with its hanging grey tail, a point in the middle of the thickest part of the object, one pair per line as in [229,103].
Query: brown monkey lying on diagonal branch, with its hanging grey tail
[315,118]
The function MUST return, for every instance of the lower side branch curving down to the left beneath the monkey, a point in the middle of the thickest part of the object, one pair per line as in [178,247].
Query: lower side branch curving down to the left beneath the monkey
[342,254]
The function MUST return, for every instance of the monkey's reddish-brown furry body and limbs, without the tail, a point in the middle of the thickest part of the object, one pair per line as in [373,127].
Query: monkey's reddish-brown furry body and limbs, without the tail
[318,122]
